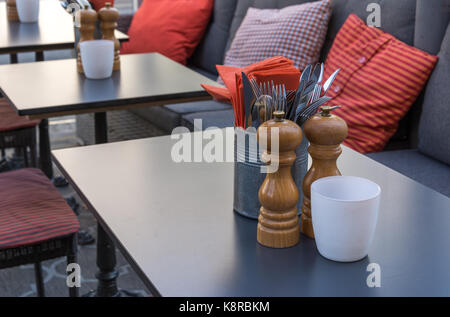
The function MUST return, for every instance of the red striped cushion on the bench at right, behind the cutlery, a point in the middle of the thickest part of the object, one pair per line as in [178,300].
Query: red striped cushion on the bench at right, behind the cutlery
[380,79]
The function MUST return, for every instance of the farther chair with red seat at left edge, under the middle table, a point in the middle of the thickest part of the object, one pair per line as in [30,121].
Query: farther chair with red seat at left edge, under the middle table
[17,132]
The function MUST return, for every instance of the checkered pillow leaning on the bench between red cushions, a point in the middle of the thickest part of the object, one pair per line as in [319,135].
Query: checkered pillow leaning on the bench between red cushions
[296,32]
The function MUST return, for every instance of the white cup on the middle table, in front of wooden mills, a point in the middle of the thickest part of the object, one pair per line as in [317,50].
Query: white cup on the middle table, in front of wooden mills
[97,58]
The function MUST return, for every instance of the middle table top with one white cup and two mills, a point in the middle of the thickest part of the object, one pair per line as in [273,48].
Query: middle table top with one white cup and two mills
[56,86]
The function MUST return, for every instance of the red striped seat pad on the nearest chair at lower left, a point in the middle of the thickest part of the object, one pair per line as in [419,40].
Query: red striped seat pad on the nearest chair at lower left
[32,210]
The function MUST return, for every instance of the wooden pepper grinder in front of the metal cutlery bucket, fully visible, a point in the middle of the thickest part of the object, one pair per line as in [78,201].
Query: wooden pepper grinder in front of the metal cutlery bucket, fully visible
[278,221]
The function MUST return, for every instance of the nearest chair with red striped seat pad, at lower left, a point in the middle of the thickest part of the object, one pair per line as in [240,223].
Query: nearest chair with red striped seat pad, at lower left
[36,224]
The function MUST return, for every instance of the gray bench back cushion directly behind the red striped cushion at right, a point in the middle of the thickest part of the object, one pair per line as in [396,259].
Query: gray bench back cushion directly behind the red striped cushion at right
[397,18]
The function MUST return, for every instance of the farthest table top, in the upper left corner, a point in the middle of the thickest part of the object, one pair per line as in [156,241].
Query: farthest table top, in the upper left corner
[54,30]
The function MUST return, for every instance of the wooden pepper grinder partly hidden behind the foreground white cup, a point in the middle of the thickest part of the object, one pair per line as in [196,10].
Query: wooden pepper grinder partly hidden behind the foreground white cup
[325,133]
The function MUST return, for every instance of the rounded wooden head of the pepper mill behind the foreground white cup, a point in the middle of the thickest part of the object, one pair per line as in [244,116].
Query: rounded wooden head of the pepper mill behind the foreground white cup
[325,128]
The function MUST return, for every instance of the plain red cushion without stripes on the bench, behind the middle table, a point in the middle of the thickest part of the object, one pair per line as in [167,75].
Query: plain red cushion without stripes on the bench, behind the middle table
[171,27]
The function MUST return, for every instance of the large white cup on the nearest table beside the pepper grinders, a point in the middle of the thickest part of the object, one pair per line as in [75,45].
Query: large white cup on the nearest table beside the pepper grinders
[344,214]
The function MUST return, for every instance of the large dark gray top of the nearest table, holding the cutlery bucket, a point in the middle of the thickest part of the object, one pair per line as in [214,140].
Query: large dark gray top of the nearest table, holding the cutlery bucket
[175,223]
